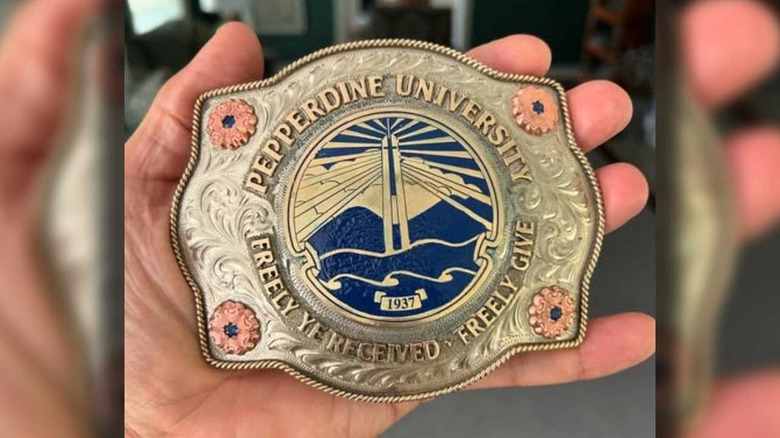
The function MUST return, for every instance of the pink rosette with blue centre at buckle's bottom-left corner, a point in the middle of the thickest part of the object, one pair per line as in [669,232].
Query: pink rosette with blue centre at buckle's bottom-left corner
[234,328]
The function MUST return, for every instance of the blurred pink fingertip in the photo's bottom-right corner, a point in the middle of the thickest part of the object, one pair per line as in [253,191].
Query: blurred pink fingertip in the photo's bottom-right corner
[744,406]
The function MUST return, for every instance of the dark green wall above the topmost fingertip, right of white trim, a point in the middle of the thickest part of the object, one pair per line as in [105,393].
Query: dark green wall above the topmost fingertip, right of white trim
[559,22]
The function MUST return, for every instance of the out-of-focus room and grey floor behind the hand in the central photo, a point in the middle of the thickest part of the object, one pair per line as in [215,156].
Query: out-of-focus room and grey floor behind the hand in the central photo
[608,39]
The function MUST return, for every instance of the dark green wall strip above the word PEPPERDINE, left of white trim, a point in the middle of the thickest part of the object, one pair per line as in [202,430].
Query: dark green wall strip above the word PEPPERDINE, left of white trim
[319,35]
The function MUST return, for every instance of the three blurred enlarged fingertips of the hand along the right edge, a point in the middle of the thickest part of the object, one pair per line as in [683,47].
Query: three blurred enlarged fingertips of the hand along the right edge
[728,47]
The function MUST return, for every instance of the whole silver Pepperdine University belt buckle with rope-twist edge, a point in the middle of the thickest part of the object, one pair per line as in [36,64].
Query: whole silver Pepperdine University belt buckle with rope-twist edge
[395,216]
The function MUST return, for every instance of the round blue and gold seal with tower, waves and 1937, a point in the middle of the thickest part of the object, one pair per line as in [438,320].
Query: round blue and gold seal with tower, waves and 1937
[394,213]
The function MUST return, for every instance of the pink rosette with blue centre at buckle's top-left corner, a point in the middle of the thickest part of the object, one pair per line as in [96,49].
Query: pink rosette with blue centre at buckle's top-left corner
[231,124]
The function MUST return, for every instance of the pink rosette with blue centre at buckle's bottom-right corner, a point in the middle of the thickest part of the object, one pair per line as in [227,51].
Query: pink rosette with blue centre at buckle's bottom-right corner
[551,312]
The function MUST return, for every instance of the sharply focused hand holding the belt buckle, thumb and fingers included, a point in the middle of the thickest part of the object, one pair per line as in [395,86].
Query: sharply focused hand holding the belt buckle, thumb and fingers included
[171,389]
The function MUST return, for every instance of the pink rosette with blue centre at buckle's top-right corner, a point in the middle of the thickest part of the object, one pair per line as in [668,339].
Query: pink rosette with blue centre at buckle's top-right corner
[535,110]
